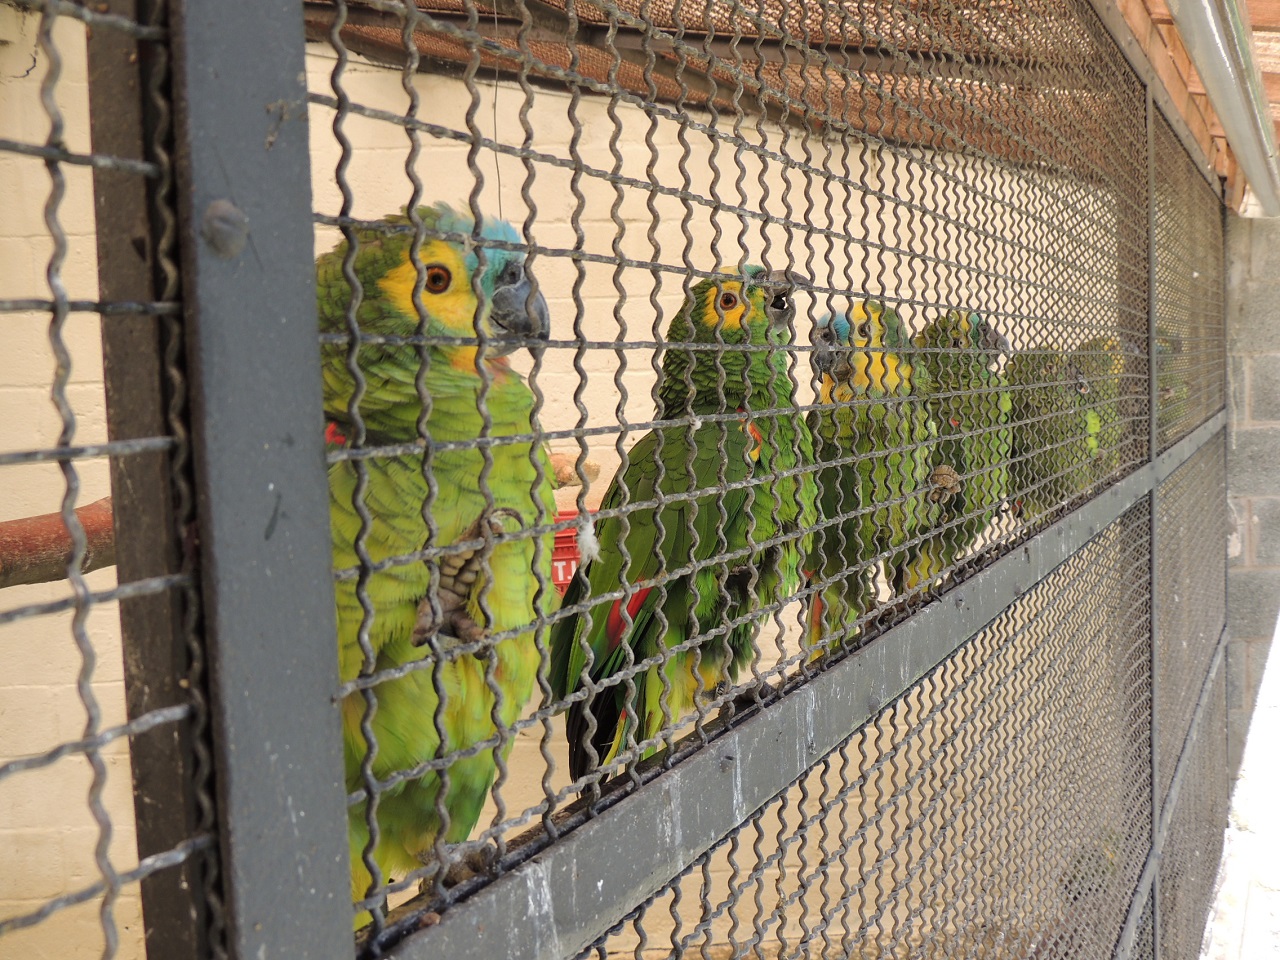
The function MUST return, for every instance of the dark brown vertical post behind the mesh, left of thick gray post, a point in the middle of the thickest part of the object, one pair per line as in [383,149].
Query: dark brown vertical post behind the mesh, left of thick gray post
[122,124]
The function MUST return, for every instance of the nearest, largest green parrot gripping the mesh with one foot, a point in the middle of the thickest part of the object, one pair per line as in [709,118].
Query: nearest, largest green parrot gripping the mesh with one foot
[484,580]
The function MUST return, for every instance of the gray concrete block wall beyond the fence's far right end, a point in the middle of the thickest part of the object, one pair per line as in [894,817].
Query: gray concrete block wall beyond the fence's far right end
[1252,463]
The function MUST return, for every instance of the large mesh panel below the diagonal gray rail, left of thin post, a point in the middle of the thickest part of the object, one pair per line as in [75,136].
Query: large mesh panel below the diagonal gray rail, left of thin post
[1000,808]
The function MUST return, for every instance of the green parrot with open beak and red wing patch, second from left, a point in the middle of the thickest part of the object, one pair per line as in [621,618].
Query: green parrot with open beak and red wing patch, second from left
[682,540]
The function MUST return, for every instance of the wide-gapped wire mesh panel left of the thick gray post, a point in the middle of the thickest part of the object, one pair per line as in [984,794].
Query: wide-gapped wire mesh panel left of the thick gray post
[104,772]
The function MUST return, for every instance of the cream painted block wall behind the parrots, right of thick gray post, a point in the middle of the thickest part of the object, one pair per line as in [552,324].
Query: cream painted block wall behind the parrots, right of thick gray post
[926,227]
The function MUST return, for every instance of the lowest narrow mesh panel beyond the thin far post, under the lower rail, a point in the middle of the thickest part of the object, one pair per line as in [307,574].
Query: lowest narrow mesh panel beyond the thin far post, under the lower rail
[1195,845]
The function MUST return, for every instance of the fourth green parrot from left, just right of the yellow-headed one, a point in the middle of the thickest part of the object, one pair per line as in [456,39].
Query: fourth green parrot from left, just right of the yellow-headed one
[971,406]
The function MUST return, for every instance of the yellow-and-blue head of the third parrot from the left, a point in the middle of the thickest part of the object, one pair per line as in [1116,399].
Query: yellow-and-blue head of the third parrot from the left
[860,355]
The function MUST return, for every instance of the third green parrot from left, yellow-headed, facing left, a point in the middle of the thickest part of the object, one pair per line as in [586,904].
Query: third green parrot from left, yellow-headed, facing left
[876,412]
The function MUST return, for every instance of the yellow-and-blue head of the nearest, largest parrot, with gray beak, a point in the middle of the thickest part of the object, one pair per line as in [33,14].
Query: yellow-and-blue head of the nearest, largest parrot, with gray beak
[508,314]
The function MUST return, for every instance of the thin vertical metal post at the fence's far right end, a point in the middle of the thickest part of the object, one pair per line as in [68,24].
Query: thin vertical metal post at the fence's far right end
[1154,449]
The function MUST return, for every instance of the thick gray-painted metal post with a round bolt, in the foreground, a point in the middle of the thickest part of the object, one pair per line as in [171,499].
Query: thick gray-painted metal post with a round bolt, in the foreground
[245,203]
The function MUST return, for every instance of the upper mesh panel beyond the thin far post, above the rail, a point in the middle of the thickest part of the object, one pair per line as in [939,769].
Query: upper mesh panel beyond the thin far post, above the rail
[1191,312]
